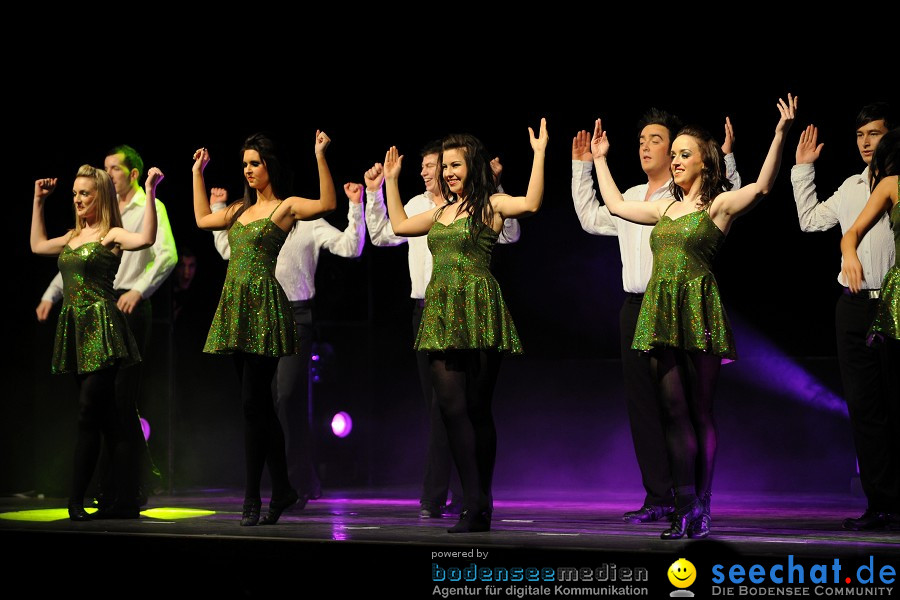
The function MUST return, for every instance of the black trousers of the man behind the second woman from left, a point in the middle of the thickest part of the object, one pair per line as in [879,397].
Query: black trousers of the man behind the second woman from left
[292,404]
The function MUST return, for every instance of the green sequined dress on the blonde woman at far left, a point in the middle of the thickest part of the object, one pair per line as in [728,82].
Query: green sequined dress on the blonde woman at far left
[92,332]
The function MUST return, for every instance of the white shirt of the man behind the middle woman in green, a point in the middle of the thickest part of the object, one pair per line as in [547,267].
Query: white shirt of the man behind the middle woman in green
[420,260]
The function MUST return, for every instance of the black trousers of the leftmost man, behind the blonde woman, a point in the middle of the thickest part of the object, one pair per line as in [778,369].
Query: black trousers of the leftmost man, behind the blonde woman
[128,395]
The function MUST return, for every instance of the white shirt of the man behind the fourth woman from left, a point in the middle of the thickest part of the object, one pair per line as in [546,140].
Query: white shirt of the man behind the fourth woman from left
[634,239]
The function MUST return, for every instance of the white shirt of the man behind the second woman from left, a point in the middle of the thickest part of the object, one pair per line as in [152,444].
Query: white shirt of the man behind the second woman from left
[295,268]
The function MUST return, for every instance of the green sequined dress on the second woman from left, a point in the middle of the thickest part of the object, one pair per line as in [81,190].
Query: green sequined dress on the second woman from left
[254,315]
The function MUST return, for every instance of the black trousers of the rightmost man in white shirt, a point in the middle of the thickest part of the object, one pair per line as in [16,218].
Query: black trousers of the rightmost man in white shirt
[871,400]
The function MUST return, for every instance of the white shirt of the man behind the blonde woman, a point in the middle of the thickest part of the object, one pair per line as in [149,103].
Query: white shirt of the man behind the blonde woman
[140,270]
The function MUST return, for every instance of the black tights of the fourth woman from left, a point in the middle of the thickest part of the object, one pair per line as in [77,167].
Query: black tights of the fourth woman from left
[687,382]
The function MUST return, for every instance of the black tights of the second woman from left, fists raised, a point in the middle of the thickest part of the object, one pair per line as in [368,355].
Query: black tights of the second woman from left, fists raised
[263,436]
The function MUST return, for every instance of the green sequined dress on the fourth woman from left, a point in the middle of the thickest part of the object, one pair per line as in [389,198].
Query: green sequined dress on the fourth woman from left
[682,307]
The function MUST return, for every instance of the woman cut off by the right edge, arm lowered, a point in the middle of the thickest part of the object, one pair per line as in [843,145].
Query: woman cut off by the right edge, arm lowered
[885,174]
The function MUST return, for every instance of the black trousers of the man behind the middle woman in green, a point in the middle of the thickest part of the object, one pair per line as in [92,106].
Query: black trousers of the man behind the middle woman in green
[439,473]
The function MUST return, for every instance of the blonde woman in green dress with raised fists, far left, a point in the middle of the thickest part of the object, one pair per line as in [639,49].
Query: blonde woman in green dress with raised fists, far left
[93,339]
